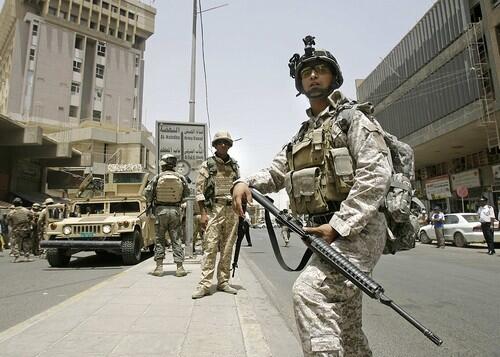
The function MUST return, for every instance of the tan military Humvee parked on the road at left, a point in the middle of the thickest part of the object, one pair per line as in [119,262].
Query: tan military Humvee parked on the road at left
[108,218]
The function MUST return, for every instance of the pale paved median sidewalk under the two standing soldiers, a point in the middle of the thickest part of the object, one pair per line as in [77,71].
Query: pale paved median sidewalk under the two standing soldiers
[137,314]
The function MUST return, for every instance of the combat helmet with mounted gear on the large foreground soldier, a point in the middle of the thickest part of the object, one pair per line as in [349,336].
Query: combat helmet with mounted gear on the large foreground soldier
[311,54]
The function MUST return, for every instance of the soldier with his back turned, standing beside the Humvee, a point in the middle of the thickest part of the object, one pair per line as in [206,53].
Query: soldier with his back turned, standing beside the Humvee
[165,193]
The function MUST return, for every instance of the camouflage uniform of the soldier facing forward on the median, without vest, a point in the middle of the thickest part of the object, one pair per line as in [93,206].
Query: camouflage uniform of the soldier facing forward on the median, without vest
[222,221]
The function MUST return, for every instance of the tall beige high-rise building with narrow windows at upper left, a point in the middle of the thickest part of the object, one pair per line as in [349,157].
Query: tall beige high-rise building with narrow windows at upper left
[75,68]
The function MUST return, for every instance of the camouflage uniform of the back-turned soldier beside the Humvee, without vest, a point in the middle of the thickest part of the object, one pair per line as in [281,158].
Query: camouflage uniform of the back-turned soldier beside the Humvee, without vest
[168,220]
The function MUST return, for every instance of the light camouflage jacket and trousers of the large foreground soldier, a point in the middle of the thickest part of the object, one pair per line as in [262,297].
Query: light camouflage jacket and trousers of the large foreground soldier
[327,306]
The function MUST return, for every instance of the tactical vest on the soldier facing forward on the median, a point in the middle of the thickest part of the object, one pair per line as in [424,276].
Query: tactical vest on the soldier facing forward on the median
[220,180]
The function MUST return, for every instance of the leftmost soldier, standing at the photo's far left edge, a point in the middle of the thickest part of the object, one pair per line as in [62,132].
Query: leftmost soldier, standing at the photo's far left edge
[20,220]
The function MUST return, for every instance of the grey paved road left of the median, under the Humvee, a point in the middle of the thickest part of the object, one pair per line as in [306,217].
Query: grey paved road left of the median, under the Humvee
[27,289]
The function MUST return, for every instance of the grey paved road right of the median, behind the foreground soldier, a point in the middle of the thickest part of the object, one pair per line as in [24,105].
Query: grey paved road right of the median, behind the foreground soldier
[454,292]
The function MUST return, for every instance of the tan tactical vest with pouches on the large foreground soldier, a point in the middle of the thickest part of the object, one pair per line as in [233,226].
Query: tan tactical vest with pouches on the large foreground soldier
[321,175]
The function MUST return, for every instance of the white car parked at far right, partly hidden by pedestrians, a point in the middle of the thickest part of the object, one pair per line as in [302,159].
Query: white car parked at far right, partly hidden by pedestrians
[459,228]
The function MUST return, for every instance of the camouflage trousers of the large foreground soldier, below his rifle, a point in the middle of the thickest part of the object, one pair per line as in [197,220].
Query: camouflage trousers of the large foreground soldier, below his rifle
[328,311]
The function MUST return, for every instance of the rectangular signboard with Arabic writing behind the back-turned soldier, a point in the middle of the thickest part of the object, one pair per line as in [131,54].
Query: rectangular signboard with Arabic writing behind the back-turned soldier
[186,141]
